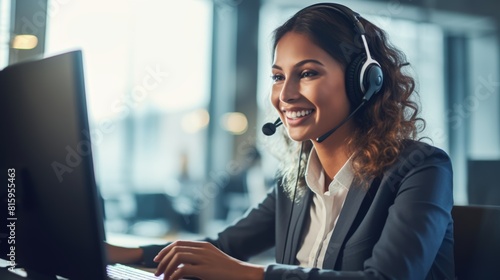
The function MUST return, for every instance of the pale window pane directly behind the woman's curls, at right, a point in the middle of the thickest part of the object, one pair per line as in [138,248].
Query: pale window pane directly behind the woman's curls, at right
[427,65]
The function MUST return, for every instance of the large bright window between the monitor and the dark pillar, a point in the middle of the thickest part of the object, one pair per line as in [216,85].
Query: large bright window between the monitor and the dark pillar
[147,68]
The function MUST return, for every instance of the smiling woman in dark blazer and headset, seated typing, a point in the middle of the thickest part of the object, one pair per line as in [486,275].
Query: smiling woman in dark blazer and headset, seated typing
[369,201]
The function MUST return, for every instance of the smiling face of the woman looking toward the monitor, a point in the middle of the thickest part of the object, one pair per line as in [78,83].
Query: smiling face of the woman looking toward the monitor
[309,89]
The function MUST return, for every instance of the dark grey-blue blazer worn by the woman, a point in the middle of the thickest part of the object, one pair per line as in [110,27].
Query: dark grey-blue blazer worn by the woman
[398,228]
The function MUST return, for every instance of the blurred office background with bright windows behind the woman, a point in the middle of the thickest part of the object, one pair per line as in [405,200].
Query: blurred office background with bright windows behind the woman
[178,90]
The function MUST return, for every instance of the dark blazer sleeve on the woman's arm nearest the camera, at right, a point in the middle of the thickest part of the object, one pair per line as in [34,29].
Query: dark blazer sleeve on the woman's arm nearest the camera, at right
[418,223]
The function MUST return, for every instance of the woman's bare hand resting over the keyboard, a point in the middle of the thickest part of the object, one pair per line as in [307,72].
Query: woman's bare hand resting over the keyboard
[202,260]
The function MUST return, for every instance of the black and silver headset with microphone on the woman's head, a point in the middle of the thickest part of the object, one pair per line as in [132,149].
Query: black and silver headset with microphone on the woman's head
[363,76]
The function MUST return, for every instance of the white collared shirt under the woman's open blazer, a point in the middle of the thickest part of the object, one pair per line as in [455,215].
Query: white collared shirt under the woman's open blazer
[324,211]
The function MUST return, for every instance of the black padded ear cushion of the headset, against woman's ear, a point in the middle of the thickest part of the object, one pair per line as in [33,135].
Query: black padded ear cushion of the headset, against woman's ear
[352,80]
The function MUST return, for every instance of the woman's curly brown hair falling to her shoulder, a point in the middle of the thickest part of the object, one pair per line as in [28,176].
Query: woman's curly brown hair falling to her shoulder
[383,124]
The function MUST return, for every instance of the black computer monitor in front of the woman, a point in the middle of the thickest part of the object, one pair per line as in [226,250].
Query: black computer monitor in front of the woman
[51,219]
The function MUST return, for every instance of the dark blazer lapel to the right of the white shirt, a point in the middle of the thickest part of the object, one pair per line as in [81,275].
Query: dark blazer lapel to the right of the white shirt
[347,215]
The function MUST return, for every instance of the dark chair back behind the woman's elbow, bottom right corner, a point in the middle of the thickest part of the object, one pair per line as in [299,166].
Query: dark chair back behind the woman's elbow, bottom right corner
[477,242]
